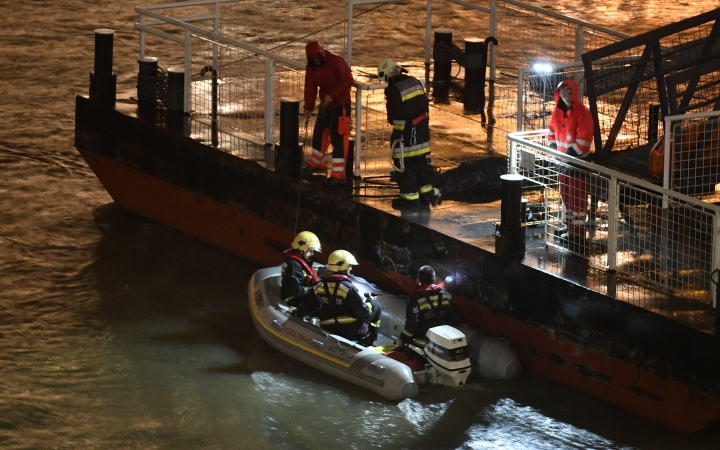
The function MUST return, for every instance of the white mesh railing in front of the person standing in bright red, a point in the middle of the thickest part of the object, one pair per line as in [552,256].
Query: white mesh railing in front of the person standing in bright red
[633,227]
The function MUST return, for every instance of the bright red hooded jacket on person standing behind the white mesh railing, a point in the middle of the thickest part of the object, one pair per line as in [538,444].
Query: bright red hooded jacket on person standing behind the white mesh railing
[571,130]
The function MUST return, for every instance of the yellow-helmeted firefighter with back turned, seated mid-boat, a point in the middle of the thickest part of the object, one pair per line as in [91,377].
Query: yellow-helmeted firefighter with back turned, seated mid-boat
[338,304]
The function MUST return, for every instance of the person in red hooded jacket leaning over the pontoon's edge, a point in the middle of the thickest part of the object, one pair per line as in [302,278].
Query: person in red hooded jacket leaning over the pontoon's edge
[331,75]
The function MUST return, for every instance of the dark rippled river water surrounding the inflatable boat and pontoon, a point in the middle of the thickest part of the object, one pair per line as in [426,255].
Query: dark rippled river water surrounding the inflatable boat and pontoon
[116,333]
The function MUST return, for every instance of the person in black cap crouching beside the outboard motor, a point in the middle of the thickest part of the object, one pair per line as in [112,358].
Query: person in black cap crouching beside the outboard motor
[429,306]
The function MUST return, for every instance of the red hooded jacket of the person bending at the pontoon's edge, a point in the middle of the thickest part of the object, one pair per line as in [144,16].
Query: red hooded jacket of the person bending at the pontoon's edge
[332,77]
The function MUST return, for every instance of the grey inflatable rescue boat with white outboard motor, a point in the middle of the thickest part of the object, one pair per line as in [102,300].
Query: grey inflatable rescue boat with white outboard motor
[451,354]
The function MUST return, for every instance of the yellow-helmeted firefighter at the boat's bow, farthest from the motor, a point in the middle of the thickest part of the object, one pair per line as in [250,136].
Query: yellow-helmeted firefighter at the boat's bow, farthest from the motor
[298,274]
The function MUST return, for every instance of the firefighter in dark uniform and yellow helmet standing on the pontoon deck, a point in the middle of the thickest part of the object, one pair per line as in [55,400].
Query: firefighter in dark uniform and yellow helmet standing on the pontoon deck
[408,113]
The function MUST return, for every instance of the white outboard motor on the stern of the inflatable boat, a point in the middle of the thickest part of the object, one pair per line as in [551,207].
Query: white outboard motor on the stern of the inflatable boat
[448,357]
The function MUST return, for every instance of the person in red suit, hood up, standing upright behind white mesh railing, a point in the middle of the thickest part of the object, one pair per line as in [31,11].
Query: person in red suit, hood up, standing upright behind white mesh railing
[571,132]
